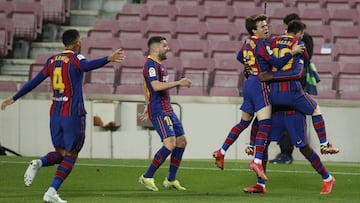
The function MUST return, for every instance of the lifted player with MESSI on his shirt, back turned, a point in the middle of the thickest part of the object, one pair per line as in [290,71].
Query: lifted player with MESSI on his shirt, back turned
[286,88]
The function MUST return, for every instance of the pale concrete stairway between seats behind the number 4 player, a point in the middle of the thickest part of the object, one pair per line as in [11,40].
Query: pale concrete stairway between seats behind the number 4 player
[83,15]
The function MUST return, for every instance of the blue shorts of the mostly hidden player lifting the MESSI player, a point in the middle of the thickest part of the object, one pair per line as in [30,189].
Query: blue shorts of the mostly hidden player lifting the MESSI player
[294,123]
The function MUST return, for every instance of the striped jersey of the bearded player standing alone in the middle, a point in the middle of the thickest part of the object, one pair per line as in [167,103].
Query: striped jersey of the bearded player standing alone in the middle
[159,101]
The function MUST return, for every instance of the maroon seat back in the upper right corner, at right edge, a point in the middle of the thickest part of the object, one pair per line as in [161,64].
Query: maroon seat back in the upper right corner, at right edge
[343,17]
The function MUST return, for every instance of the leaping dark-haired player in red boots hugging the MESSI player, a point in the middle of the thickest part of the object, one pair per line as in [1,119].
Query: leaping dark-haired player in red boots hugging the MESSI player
[256,54]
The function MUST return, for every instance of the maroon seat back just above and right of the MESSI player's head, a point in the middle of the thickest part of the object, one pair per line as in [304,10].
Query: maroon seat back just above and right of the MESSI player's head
[315,16]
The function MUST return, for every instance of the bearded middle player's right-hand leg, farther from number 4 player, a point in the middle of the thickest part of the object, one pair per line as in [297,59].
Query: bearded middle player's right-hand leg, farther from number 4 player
[176,155]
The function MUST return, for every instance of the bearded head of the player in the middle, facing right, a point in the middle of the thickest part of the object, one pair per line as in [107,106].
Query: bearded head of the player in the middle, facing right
[158,47]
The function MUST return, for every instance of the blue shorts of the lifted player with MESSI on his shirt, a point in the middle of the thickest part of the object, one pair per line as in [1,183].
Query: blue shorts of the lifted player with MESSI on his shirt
[295,98]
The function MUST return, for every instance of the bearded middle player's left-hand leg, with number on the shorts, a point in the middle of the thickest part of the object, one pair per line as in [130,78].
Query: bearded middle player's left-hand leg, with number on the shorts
[164,128]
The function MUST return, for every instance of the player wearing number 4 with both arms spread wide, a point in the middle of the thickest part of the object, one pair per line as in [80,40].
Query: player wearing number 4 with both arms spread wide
[67,111]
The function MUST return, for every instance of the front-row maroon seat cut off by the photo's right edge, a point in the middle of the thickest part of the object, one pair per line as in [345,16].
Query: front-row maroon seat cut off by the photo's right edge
[349,81]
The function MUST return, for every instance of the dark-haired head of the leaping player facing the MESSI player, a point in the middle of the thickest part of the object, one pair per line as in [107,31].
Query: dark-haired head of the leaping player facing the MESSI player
[256,25]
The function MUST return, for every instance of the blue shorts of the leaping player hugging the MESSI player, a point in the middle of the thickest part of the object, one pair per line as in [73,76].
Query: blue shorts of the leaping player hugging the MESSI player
[255,95]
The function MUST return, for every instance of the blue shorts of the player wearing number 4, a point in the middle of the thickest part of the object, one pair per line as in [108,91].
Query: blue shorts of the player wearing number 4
[68,132]
